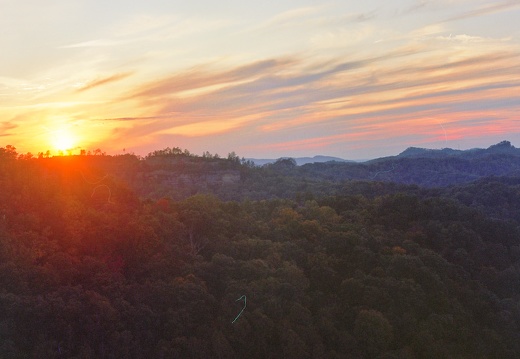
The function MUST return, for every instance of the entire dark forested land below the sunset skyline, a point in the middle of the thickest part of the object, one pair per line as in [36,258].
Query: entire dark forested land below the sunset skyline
[181,256]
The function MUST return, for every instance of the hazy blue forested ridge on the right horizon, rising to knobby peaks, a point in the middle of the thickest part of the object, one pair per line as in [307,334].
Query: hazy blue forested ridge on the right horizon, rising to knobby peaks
[424,167]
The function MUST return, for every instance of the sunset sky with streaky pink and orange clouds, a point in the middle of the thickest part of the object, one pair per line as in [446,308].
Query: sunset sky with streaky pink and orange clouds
[352,79]
